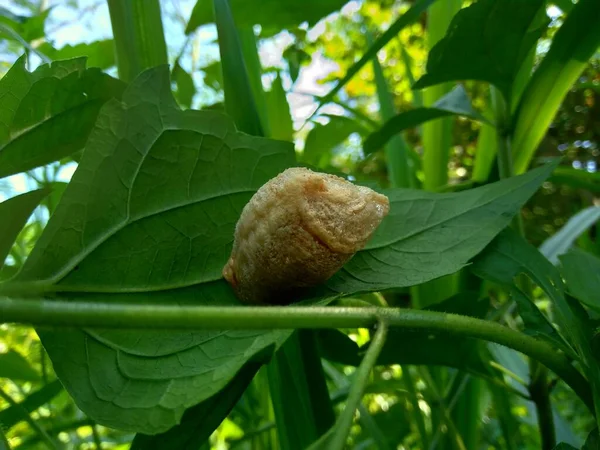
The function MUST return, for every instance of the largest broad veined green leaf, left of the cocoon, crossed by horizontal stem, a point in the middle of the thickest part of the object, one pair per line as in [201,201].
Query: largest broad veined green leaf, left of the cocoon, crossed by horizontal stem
[149,217]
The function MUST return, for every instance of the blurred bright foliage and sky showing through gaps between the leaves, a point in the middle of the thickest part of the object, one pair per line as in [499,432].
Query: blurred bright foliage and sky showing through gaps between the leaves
[300,64]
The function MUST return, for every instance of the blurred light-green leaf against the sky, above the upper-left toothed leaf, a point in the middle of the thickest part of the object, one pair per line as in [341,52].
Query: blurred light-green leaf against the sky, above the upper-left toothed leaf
[99,53]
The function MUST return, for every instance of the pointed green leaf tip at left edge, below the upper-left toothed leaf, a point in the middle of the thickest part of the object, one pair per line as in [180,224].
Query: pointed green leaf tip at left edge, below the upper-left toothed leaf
[14,213]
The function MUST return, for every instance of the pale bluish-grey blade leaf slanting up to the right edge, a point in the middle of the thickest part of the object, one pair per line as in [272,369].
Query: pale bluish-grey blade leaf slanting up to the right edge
[563,239]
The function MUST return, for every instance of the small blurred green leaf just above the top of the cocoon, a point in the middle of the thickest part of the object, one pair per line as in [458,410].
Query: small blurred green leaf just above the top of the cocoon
[324,138]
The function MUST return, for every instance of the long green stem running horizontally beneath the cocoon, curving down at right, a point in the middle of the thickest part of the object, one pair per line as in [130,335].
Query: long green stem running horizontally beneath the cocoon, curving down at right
[132,316]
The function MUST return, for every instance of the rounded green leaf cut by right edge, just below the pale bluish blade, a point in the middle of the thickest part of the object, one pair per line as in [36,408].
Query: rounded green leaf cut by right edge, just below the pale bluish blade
[582,274]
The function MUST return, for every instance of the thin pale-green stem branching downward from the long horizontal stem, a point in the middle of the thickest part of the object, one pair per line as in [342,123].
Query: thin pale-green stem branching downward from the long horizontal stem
[344,423]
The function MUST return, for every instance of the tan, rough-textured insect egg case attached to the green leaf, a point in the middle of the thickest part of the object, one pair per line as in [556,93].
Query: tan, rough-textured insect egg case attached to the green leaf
[297,231]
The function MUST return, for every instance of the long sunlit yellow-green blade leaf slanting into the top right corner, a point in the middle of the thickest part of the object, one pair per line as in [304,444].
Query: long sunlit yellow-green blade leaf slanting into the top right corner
[573,45]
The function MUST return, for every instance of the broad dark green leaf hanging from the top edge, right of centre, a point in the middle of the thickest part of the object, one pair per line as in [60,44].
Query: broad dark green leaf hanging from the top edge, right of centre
[480,46]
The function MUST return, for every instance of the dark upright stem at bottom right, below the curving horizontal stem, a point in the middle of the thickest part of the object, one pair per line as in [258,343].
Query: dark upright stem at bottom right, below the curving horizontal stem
[540,395]
